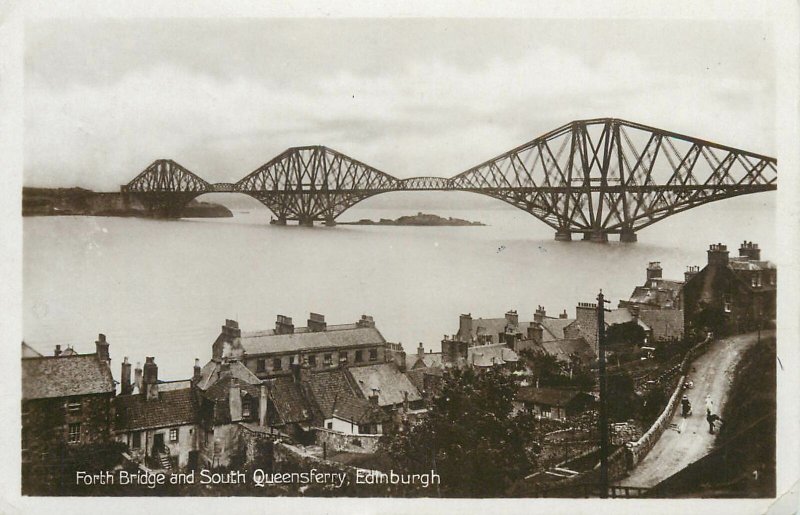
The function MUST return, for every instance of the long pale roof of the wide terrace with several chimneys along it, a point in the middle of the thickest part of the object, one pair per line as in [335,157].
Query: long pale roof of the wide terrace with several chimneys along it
[264,342]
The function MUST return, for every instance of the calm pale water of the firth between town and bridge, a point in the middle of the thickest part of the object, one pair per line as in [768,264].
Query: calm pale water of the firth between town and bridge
[163,288]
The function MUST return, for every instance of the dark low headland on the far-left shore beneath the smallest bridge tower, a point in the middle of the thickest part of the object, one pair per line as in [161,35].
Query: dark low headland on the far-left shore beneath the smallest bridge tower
[83,202]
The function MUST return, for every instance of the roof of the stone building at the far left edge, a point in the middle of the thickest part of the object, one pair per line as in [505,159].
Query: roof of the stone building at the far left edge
[64,376]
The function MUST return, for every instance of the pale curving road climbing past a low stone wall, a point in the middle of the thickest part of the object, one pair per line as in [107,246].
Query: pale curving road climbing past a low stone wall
[712,374]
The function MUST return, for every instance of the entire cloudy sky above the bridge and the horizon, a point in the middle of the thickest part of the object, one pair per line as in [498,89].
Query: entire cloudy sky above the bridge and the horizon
[104,98]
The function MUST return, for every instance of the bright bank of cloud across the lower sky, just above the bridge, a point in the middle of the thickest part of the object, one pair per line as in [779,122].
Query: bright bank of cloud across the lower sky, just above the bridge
[428,117]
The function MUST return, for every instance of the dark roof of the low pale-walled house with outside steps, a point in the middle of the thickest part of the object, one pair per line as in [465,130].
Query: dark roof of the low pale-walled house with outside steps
[172,408]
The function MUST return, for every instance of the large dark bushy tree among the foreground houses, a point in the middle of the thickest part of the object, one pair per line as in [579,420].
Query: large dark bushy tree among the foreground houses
[471,436]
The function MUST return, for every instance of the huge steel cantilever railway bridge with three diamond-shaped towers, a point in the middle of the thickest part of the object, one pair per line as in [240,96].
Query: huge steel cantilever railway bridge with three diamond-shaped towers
[591,177]
